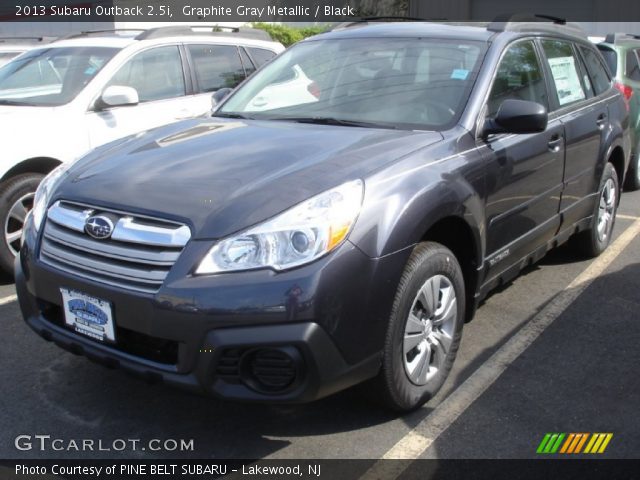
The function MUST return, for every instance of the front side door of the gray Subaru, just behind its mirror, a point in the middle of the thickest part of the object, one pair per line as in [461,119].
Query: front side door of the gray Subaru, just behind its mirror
[524,175]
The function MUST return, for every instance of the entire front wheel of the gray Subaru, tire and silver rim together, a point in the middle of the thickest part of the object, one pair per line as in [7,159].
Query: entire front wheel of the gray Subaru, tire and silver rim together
[424,330]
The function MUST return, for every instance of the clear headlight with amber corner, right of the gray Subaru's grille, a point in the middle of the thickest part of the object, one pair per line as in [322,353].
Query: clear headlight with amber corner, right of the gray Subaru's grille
[297,236]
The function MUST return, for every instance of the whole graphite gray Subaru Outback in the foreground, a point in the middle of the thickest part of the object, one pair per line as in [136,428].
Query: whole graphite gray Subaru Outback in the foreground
[283,253]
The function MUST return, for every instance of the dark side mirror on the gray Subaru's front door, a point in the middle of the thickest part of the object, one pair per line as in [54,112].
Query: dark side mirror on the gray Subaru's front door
[517,116]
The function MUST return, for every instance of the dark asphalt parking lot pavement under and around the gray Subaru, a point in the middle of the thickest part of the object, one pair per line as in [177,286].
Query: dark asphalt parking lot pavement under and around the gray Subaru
[579,375]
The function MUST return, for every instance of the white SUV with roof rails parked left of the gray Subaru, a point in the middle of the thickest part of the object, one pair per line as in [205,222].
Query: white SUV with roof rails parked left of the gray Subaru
[73,95]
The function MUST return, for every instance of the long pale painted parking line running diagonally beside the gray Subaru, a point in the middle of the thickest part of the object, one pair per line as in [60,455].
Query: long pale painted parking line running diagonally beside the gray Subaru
[420,438]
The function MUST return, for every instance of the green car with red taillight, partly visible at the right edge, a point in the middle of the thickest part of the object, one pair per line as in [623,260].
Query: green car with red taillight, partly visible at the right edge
[622,54]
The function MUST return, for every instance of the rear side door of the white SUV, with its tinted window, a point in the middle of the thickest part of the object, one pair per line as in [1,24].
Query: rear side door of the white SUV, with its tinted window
[215,67]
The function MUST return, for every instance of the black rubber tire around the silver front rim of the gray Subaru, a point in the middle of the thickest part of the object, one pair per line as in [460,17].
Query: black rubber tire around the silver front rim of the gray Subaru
[393,385]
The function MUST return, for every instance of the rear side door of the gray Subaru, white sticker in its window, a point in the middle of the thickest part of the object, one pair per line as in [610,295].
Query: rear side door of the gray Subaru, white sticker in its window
[582,109]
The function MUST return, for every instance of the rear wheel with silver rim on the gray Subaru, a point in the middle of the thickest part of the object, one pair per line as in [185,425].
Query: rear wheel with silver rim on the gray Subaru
[596,239]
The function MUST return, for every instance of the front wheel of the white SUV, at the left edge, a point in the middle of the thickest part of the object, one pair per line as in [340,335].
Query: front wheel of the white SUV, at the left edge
[11,192]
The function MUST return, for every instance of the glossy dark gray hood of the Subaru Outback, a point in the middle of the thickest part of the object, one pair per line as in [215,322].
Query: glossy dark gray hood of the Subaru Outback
[220,176]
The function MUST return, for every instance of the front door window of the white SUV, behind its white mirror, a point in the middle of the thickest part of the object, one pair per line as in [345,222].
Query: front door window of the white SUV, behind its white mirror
[156,74]
